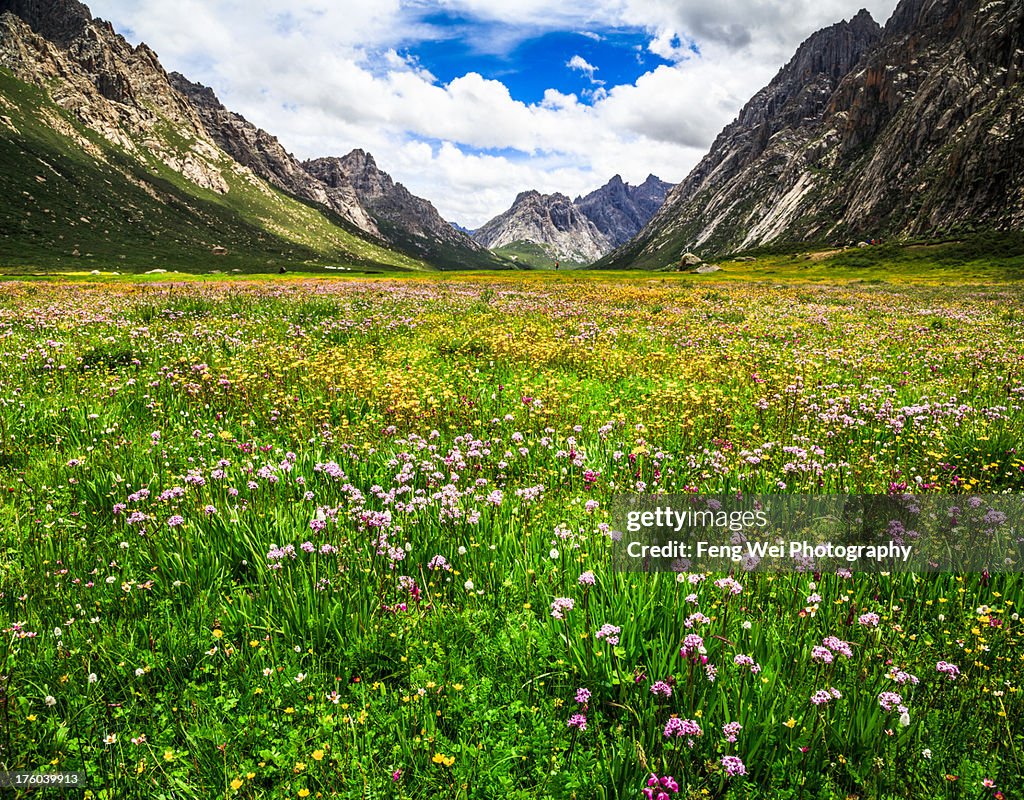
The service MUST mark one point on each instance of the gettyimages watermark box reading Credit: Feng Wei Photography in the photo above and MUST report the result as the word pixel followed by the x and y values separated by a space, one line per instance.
pixel 820 533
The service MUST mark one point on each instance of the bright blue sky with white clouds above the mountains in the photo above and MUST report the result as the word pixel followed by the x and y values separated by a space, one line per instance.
pixel 468 103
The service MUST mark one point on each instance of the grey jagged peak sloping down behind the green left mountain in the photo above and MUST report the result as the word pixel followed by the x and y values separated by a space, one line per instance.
pixel 406 222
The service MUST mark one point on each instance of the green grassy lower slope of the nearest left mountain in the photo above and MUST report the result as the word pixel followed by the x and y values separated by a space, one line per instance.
pixel 75 192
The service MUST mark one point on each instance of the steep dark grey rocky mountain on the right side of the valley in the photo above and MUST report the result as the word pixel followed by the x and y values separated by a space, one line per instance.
pixel 909 132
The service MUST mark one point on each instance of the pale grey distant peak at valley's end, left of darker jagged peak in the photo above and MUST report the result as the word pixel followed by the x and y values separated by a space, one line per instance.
pixel 551 223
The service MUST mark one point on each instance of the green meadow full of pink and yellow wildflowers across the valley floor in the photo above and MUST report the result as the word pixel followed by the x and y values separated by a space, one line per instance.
pixel 310 538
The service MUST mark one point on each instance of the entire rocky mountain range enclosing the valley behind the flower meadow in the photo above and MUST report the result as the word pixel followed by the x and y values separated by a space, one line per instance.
pixel 908 132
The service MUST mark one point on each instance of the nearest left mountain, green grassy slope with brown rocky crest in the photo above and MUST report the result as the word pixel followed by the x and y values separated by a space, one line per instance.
pixel 108 163
